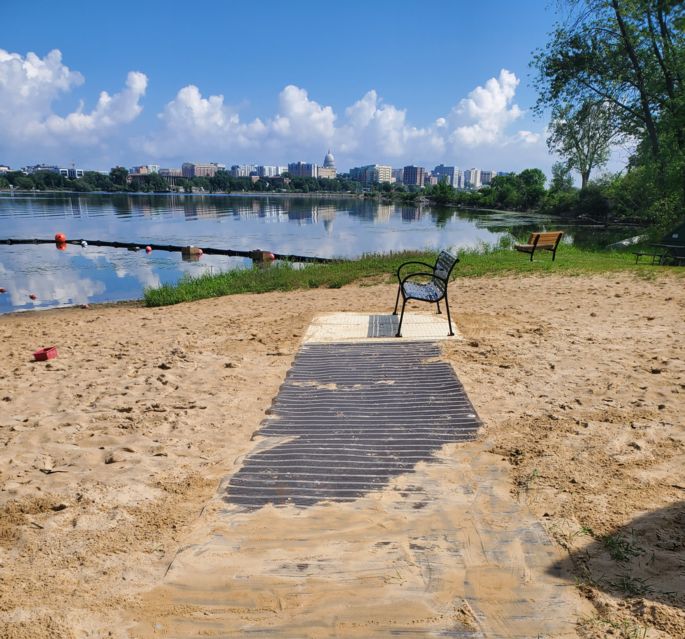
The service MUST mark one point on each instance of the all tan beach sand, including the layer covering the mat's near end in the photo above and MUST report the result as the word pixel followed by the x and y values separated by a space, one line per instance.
pixel 112 457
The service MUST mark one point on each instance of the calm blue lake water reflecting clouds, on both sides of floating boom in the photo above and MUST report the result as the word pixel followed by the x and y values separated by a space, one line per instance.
pixel 344 227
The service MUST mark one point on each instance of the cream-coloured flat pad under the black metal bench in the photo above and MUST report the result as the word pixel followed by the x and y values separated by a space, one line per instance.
pixel 361 327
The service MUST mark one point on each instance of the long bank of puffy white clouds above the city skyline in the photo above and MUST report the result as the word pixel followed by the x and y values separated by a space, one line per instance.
pixel 368 130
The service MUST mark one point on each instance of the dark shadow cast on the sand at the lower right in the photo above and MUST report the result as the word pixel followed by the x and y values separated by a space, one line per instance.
pixel 645 559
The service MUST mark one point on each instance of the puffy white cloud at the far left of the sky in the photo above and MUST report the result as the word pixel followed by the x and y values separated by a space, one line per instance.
pixel 30 85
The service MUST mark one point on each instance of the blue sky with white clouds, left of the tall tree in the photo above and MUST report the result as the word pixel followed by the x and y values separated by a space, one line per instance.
pixel 99 84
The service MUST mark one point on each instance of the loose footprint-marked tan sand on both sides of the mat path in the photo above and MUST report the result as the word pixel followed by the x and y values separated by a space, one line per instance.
pixel 110 453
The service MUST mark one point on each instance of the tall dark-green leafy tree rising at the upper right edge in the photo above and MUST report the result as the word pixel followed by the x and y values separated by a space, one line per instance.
pixel 628 56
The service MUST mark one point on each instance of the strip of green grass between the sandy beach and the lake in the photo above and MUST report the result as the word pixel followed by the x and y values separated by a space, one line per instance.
pixel 483 261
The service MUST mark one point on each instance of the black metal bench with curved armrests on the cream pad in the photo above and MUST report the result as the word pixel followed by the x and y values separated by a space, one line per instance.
pixel 425 285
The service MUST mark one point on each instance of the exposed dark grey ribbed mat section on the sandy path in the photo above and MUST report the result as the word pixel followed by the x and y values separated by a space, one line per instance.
pixel 349 417
